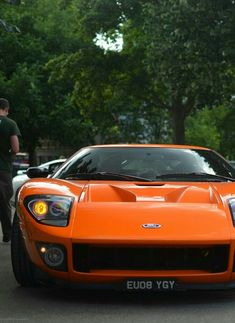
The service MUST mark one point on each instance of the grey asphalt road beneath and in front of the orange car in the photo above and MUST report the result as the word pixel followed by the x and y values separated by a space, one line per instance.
pixel 18 304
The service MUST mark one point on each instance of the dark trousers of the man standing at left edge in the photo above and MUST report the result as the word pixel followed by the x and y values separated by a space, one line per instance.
pixel 6 192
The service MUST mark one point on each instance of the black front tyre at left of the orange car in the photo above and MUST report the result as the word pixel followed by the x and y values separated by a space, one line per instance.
pixel 22 267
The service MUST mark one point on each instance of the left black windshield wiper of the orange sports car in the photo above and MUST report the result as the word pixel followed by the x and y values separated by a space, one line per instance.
pixel 106 176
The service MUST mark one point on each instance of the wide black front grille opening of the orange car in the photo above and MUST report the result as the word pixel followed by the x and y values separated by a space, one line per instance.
pixel 212 259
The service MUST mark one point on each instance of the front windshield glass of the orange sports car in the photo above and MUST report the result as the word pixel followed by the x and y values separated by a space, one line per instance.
pixel 147 164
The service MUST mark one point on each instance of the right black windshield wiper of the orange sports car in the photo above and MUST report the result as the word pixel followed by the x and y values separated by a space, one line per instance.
pixel 209 177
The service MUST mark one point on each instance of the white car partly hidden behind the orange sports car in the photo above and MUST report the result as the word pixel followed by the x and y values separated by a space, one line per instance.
pixel 19 180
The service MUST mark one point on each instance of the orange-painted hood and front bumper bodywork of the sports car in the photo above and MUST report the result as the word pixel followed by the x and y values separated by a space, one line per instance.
pixel 113 213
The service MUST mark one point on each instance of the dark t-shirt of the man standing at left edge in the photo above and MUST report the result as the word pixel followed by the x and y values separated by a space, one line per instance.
pixel 8 128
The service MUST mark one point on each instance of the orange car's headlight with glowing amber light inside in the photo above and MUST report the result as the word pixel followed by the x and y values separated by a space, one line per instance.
pixel 49 209
